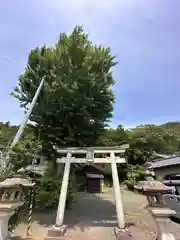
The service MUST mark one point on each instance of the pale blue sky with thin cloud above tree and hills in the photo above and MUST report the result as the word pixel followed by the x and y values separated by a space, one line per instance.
pixel 143 34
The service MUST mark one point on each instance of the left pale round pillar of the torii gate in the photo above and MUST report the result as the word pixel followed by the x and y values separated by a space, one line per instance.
pixel 63 195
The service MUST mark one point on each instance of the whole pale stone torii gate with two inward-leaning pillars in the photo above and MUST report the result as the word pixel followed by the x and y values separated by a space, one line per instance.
pixel 59 228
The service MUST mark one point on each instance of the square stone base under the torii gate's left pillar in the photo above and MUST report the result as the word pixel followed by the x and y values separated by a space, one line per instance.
pixel 56 233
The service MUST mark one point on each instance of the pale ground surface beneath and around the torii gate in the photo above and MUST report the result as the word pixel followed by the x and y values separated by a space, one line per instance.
pixel 93 218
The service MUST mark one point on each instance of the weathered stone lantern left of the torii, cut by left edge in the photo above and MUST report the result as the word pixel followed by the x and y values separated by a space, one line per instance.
pixel 11 198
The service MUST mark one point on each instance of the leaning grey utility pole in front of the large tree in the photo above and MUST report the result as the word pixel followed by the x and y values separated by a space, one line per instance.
pixel 20 131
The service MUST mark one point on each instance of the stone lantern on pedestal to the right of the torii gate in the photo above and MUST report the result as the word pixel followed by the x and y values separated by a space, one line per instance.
pixel 154 191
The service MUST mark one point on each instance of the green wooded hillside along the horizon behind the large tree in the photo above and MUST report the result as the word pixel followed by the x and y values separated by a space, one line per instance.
pixel 164 138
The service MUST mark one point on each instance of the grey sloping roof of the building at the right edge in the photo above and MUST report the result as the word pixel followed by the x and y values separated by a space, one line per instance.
pixel 166 162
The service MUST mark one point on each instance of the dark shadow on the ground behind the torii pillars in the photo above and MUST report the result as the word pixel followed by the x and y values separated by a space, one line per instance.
pixel 87 211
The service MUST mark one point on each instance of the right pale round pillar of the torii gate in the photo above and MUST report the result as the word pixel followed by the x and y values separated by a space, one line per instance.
pixel 117 192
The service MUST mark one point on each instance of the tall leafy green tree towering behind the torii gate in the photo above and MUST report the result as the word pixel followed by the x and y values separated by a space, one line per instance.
pixel 76 102
